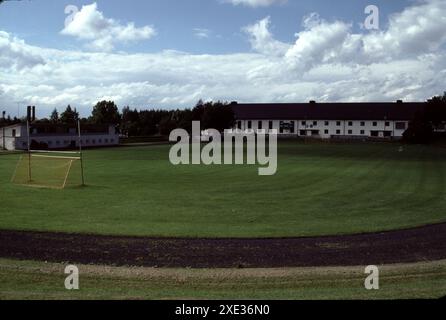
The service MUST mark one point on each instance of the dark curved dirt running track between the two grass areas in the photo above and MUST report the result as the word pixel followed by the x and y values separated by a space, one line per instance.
pixel 411 245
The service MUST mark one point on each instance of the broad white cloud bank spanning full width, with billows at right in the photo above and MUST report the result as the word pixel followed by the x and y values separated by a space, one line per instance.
pixel 327 61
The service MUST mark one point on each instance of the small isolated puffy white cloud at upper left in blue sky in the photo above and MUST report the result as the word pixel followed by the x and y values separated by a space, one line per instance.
pixel 102 33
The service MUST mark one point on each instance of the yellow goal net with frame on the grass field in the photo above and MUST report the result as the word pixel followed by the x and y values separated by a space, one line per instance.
pixel 48 169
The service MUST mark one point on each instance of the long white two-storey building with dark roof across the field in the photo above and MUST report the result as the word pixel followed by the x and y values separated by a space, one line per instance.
pixel 328 120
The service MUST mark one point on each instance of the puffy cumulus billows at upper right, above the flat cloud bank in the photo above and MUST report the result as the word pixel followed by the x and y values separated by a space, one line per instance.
pixel 415 31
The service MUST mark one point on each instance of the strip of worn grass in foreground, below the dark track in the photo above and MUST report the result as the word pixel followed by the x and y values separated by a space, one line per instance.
pixel 38 280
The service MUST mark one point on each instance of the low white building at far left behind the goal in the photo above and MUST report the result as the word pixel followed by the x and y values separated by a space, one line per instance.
pixel 51 136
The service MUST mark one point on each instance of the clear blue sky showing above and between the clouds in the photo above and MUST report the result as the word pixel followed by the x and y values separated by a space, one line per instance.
pixel 175 20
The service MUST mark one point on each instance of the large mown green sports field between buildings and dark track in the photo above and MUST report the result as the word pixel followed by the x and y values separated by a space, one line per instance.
pixel 319 189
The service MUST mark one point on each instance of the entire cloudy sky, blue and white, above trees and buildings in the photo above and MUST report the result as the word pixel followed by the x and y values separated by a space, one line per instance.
pixel 170 53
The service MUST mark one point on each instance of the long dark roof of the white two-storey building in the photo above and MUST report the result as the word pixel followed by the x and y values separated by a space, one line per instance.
pixel 327 111
